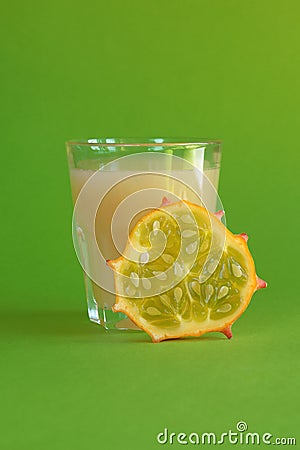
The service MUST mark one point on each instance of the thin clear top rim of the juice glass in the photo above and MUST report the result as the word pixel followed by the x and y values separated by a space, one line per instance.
pixel 142 142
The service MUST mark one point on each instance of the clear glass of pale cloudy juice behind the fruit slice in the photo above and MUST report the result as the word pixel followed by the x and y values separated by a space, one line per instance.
pixel 114 183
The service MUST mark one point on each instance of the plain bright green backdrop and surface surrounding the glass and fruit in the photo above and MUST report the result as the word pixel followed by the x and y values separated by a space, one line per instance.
pixel 225 69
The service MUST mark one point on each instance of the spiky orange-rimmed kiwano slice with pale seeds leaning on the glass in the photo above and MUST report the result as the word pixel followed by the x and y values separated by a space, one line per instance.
pixel 183 273
